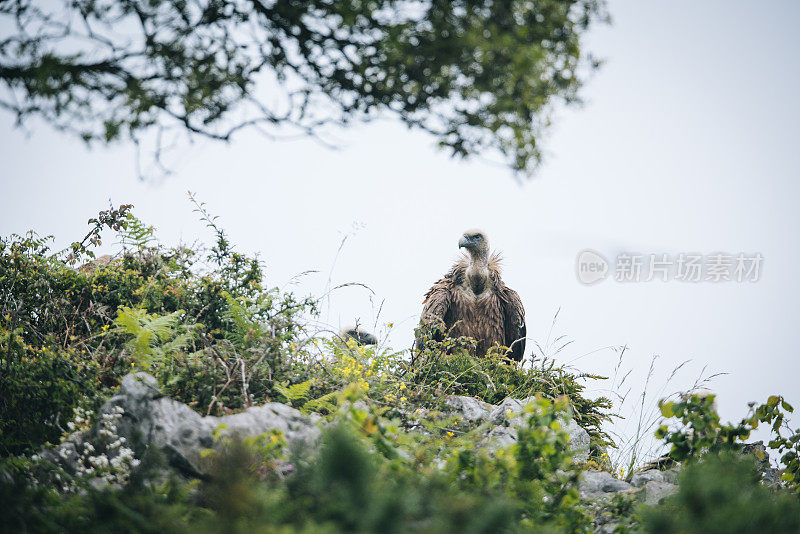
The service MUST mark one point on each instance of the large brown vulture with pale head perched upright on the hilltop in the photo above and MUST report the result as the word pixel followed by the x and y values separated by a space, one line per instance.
pixel 472 300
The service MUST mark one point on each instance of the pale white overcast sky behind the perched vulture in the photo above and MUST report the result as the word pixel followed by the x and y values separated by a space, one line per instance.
pixel 687 143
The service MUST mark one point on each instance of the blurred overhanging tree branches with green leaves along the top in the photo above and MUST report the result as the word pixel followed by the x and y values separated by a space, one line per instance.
pixel 477 74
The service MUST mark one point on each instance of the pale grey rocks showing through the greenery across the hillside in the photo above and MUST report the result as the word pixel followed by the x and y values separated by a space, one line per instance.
pixel 139 417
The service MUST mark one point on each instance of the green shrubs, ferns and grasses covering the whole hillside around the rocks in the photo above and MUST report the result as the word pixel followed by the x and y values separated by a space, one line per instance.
pixel 217 337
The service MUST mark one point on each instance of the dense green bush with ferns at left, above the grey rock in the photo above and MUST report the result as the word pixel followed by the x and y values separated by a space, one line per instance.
pixel 207 328
